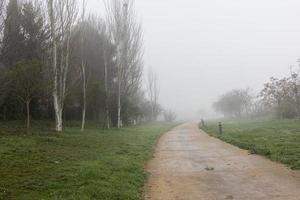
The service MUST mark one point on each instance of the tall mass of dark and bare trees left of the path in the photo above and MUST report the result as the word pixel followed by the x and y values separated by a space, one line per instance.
pixel 58 62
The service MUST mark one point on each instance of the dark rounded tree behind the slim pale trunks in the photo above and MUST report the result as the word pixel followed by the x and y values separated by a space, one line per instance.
pixel 100 72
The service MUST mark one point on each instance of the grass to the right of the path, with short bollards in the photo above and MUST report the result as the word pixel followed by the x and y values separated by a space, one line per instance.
pixel 278 140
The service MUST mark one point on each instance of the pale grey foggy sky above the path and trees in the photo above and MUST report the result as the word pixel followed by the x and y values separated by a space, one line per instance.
pixel 203 48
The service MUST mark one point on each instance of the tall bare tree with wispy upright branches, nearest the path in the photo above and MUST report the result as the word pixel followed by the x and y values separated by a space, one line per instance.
pixel 126 35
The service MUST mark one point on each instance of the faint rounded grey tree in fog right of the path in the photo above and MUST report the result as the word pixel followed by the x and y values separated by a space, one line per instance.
pixel 234 103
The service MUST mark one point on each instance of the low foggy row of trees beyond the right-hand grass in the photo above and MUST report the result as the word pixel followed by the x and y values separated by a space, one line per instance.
pixel 280 98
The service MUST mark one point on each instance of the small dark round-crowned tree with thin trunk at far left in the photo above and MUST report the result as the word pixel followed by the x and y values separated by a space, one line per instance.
pixel 28 83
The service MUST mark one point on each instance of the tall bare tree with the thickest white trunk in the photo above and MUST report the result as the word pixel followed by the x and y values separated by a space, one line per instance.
pixel 62 16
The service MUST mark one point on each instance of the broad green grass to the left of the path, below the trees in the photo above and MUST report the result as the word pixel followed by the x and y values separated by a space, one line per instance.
pixel 96 164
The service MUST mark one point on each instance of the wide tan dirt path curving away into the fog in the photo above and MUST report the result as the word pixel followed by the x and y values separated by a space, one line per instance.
pixel 189 164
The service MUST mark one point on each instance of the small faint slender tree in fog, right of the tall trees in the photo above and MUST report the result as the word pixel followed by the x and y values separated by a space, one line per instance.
pixel 153 92
